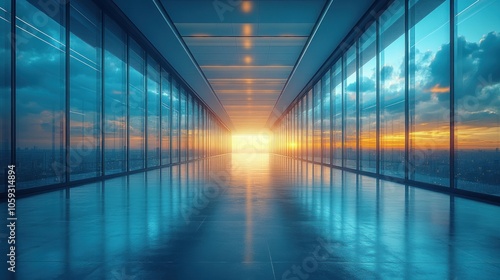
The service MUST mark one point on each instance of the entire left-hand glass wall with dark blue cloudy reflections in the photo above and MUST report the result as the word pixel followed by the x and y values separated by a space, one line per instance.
pixel 90 99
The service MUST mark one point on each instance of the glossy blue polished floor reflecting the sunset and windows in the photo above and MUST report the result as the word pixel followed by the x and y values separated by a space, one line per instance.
pixel 254 216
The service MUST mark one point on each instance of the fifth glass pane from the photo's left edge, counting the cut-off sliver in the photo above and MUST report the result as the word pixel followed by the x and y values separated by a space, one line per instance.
pixel 137 106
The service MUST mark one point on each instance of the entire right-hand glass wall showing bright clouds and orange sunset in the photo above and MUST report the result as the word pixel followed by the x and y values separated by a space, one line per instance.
pixel 414 97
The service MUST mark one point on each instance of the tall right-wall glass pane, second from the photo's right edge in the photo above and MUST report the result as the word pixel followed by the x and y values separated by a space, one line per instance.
pixel 429 92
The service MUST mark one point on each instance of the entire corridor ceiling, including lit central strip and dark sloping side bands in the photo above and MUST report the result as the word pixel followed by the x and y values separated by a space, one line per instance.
pixel 247 59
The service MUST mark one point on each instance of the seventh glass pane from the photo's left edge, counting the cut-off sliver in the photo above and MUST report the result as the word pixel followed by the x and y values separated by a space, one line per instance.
pixel 165 117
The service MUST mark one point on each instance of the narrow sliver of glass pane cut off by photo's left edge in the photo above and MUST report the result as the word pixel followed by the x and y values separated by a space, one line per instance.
pixel 5 93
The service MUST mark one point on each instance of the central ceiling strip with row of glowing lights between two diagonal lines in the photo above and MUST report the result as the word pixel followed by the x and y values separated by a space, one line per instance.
pixel 246 52
